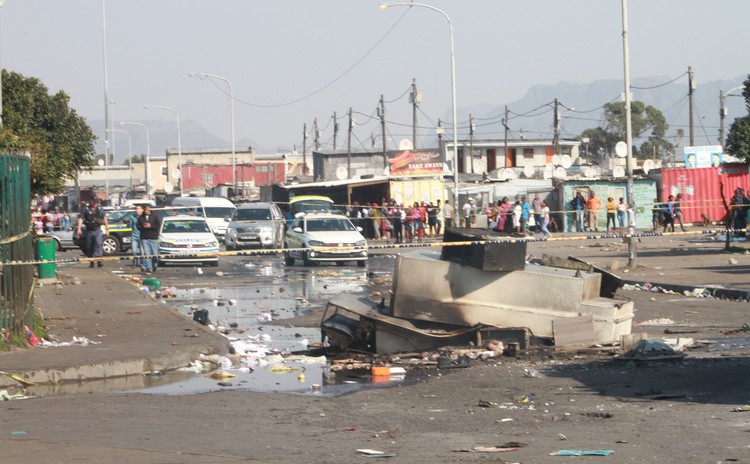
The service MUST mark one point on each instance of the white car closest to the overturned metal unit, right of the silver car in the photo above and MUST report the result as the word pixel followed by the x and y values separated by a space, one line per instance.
pixel 324 230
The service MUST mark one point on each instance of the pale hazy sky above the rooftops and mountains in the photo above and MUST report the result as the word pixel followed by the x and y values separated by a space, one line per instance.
pixel 291 61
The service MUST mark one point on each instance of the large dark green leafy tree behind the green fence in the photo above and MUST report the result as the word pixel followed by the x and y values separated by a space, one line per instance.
pixel 59 140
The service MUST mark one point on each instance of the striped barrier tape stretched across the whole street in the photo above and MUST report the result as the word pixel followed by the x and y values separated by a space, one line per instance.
pixel 388 246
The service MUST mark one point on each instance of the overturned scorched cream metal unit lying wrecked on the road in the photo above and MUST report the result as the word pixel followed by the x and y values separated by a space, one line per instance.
pixel 450 298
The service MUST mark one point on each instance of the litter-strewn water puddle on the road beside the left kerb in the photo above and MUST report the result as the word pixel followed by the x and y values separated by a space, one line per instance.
pixel 254 313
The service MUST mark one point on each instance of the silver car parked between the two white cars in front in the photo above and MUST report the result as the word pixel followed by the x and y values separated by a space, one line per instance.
pixel 258 225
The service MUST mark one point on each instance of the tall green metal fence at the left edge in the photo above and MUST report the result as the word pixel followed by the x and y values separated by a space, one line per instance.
pixel 16 282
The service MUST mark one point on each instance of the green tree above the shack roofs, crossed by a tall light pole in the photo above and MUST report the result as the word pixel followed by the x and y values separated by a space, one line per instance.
pixel 646 121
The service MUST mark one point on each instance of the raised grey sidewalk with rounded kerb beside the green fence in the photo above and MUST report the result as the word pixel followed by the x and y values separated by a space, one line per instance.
pixel 136 333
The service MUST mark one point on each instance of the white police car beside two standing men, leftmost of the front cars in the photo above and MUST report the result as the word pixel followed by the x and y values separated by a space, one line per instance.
pixel 187 239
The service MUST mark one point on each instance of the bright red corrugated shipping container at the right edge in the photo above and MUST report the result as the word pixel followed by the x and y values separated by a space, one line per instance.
pixel 701 189
